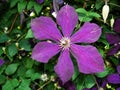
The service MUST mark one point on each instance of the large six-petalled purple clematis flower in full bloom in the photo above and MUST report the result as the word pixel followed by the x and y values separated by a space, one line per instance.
pixel 88 58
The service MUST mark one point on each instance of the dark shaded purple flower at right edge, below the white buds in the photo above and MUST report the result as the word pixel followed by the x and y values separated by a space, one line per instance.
pixel 114 39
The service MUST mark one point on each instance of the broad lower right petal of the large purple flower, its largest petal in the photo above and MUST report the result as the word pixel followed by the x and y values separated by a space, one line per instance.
pixel 88 58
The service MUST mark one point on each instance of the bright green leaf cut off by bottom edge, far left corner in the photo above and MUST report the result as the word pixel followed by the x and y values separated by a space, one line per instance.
pixel 10 84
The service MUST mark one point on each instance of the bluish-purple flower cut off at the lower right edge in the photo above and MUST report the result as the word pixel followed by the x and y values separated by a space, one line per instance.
pixel 115 78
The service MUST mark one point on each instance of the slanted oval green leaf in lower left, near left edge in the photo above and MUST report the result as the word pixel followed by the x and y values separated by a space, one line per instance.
pixel 11 68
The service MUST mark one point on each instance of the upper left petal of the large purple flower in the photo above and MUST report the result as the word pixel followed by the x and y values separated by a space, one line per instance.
pixel 45 28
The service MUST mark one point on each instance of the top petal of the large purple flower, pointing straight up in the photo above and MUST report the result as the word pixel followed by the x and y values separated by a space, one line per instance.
pixel 67 18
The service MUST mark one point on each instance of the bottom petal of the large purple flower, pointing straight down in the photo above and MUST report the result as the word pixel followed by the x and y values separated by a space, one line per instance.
pixel 64 67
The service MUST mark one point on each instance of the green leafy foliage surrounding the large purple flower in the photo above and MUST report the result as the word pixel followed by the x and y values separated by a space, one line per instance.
pixel 20 72
